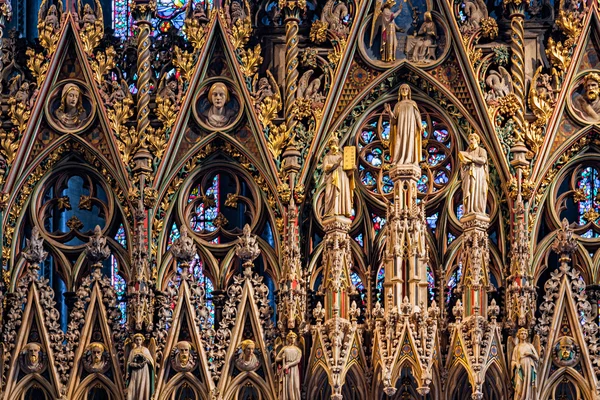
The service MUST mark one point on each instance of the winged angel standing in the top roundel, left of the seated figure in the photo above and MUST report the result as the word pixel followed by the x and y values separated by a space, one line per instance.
pixel 384 20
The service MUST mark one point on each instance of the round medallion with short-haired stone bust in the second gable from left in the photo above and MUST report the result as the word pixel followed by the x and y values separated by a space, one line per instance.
pixel 217 106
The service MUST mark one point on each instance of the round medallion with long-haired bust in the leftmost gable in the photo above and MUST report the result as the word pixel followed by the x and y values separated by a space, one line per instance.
pixel 70 107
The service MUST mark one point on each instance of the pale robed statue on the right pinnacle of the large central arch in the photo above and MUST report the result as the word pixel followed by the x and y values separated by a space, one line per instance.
pixel 474 176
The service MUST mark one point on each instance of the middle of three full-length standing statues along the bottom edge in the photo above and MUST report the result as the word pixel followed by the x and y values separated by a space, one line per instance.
pixel 288 372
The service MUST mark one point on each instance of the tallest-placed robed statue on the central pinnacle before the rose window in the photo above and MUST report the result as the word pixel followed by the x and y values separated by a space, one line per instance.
pixel 406 129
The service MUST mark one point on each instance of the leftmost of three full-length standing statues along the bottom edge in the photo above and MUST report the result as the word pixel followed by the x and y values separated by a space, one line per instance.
pixel 140 371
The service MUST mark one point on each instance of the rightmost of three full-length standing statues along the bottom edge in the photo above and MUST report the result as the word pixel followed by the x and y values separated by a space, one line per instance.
pixel 524 367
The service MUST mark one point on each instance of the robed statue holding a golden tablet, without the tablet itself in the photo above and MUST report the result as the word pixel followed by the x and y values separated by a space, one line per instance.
pixel 339 183
